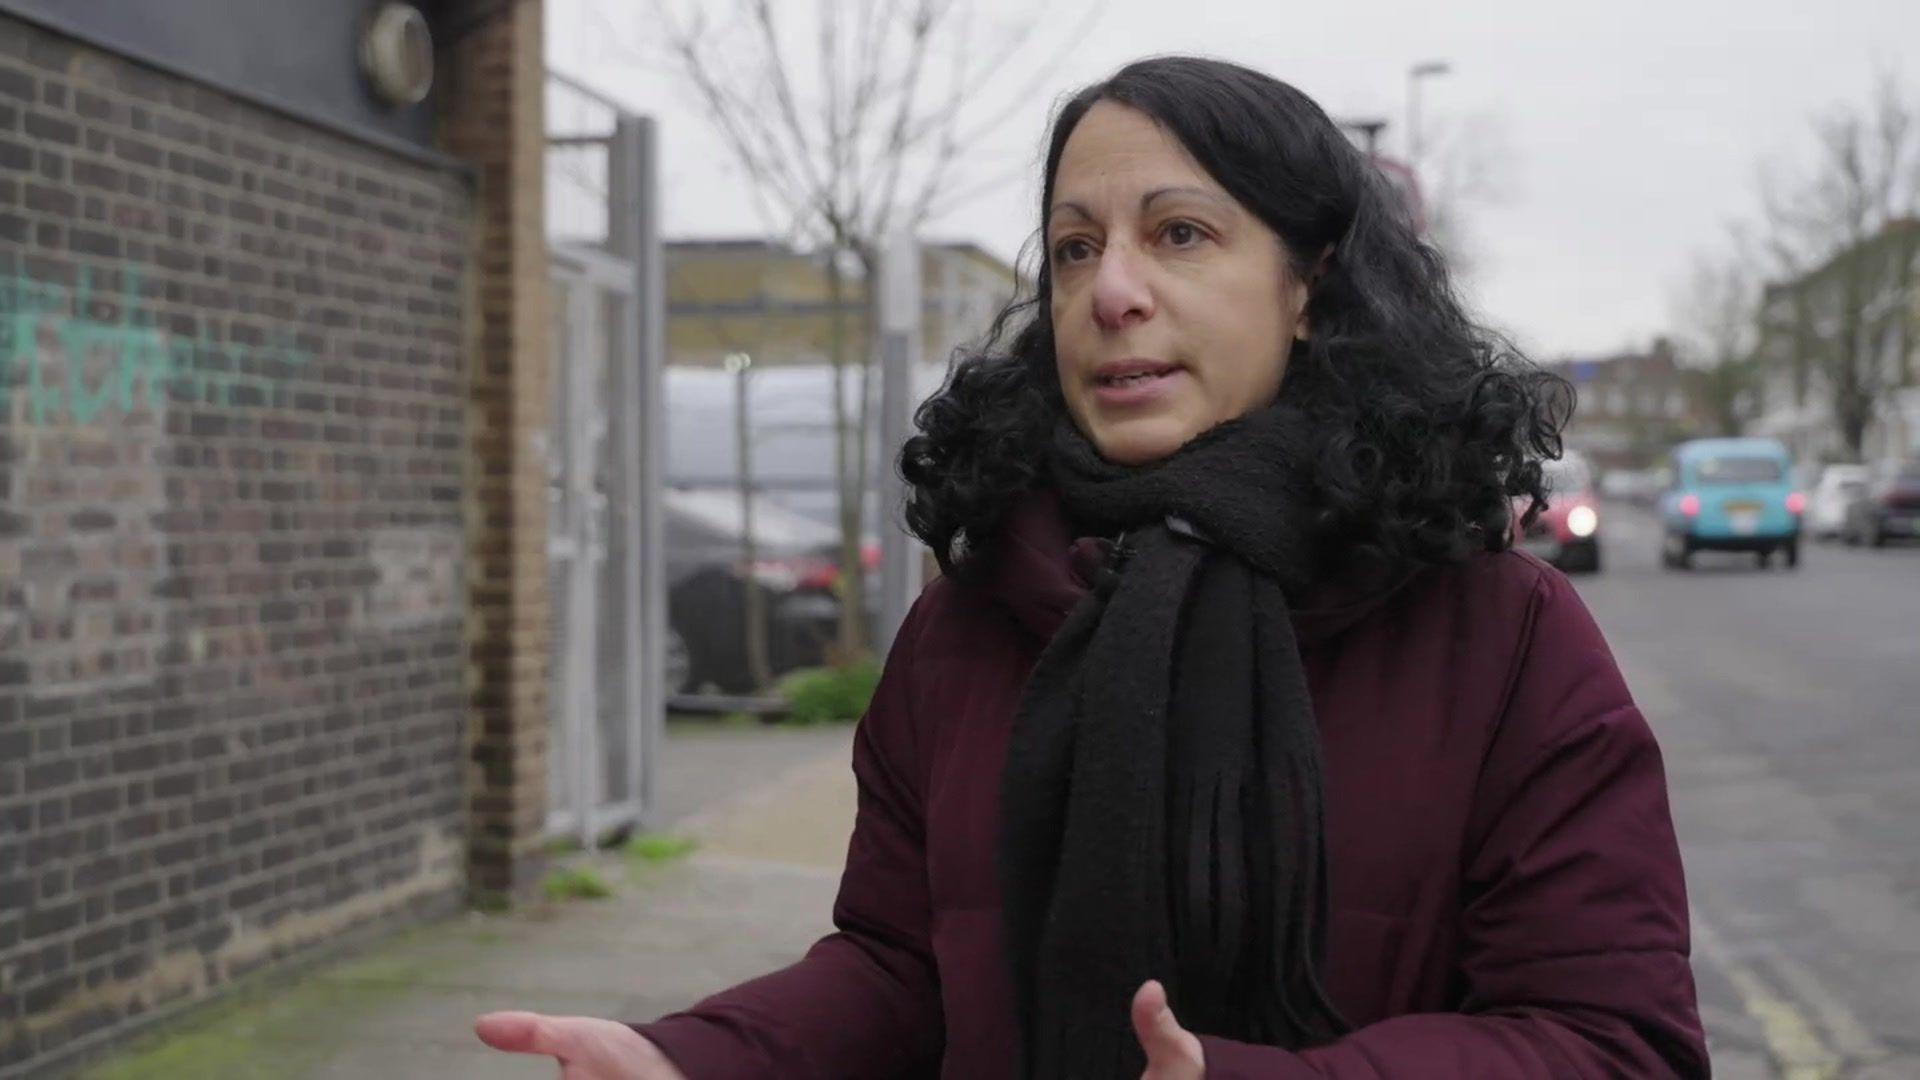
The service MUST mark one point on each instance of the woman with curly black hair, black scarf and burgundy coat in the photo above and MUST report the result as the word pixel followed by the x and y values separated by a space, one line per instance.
pixel 1234 741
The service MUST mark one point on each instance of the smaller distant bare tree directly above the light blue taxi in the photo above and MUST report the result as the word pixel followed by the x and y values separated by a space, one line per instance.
pixel 1716 318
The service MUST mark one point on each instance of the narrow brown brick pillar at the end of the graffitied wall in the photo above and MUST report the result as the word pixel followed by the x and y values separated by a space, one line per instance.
pixel 496 84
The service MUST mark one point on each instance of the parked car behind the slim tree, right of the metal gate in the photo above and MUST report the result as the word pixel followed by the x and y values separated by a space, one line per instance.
pixel 796 568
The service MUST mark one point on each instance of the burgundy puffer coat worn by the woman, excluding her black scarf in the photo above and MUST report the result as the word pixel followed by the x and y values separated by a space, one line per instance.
pixel 1506 889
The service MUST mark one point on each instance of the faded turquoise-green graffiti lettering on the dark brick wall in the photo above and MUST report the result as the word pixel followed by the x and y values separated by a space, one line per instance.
pixel 133 358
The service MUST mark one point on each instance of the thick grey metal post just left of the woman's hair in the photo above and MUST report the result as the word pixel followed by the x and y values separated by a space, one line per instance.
pixel 900 320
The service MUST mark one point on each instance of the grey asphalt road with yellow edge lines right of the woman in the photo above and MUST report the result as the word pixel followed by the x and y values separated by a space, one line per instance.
pixel 1788 708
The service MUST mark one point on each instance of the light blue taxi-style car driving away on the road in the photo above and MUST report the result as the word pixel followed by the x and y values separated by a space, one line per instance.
pixel 1731 495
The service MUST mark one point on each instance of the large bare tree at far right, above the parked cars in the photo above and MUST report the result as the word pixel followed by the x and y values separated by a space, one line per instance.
pixel 1825 232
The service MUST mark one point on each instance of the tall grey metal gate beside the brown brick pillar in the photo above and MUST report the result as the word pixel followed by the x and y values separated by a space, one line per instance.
pixel 604 485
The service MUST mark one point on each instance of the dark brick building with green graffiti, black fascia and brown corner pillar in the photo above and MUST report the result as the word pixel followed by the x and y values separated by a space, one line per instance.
pixel 274 620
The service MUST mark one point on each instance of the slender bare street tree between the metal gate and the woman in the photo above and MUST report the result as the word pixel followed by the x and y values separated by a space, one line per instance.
pixel 850 134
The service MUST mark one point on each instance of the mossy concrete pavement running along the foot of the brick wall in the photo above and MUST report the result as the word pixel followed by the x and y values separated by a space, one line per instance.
pixel 771 812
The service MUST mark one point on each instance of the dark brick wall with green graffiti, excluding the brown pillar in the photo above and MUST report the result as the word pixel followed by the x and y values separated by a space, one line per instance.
pixel 233 543
